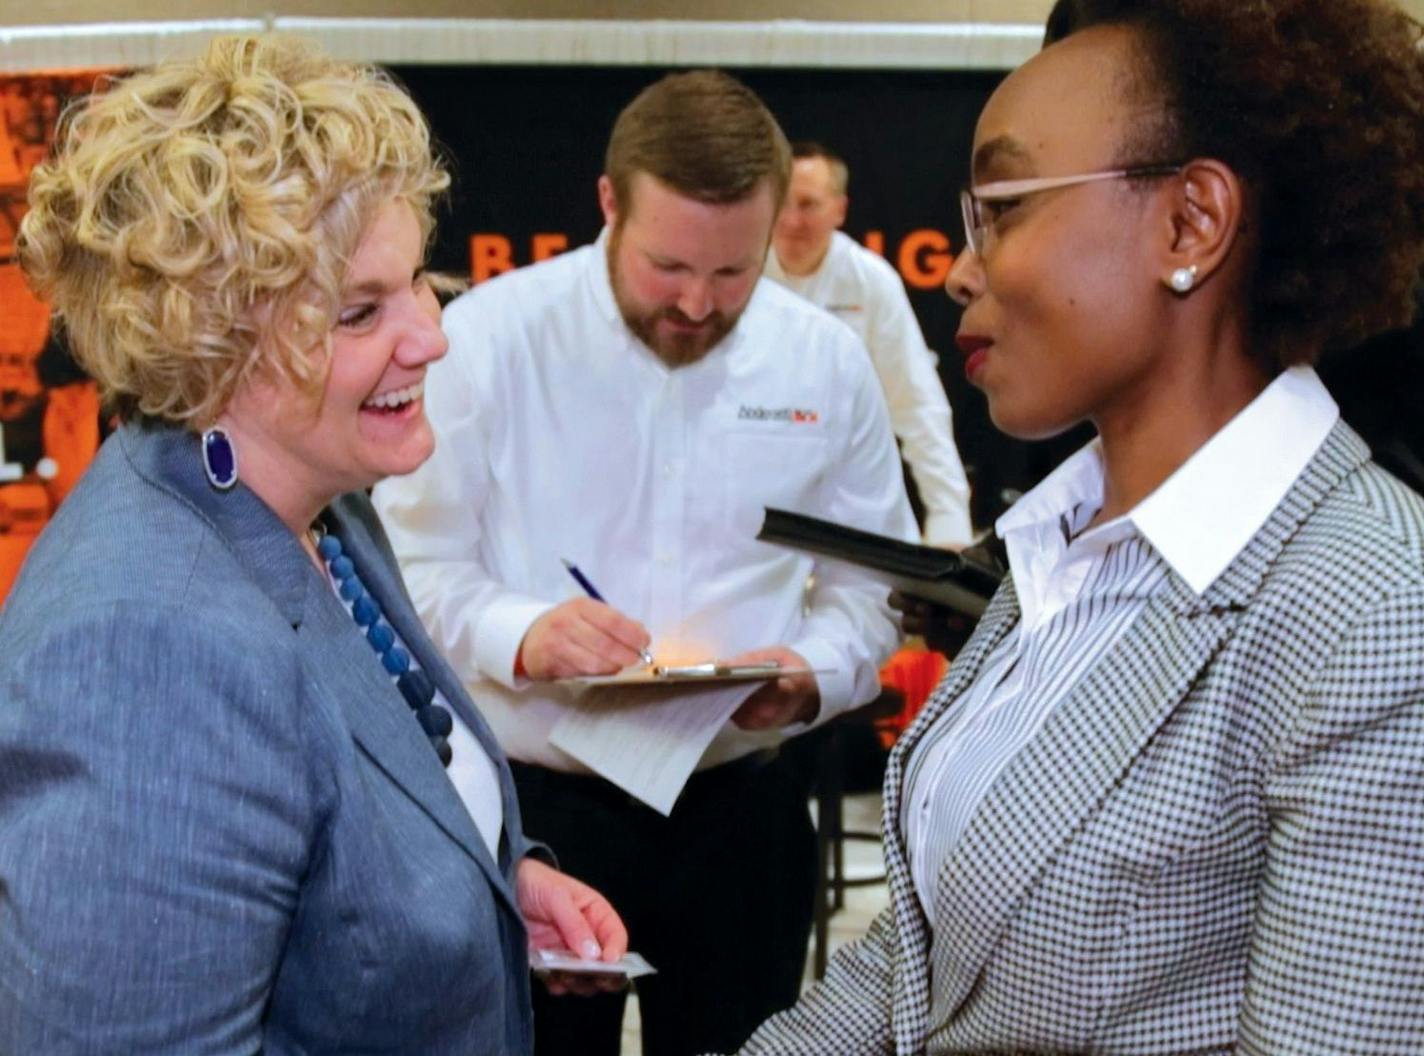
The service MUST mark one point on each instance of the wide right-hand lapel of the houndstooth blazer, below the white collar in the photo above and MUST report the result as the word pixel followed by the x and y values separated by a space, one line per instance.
pixel 1093 738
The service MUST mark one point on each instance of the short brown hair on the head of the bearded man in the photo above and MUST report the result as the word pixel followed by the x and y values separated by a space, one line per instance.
pixel 704 134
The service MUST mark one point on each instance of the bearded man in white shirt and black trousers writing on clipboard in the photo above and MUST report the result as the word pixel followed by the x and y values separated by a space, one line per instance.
pixel 632 408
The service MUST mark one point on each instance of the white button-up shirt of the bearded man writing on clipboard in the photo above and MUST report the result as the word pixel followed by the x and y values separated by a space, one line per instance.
pixel 559 435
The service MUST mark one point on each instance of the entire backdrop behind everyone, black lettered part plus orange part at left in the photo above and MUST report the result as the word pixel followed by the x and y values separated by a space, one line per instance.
pixel 528 146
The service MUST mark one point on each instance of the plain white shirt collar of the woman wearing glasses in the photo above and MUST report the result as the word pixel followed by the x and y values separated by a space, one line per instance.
pixel 1204 514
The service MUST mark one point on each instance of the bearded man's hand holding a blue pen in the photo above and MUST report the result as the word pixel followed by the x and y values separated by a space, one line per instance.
pixel 582 637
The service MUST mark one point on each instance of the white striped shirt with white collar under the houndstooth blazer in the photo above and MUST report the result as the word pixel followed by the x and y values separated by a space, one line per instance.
pixel 1080 591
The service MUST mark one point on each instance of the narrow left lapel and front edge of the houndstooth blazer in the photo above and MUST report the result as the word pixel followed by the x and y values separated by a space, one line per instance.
pixel 911 998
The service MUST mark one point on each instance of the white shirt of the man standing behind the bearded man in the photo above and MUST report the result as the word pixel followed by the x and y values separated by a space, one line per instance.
pixel 864 291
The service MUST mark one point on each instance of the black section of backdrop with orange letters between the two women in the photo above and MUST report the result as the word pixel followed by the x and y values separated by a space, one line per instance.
pixel 528 146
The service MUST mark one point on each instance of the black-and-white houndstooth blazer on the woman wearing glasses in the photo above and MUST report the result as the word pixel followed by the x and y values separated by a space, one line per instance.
pixel 1217 842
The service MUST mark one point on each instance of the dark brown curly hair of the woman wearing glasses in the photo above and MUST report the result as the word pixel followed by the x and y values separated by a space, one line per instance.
pixel 1319 109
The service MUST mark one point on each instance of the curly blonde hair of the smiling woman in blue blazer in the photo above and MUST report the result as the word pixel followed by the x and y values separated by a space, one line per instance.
pixel 196 221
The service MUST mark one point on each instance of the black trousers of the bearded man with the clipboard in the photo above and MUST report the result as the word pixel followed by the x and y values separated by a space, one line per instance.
pixel 718 897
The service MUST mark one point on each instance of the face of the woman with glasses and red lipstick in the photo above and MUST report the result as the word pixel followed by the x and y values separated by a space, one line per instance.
pixel 1059 318
